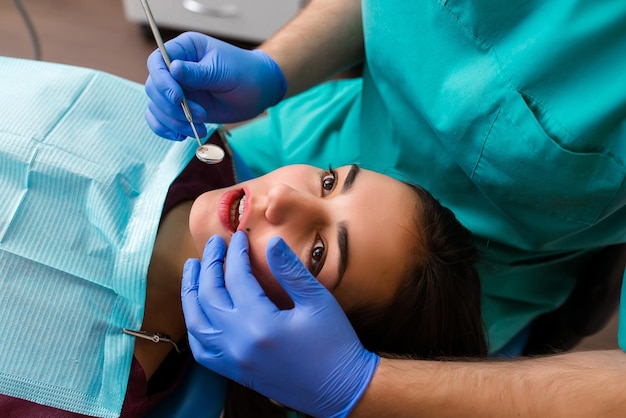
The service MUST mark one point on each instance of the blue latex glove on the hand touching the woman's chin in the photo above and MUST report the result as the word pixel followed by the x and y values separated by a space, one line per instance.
pixel 308 358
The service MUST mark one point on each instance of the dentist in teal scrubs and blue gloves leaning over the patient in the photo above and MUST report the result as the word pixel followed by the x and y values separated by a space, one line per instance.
pixel 512 115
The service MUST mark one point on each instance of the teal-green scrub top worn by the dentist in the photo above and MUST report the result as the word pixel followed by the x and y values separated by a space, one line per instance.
pixel 511 114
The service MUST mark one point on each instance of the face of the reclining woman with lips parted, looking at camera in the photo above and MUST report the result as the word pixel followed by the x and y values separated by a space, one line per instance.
pixel 353 228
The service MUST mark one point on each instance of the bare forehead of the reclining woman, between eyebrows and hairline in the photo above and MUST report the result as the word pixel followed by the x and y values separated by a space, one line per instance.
pixel 382 239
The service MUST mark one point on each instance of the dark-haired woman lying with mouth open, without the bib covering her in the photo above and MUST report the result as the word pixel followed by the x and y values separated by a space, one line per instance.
pixel 350 226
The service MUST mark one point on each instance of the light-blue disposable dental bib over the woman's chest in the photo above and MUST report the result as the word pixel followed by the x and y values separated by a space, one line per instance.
pixel 83 181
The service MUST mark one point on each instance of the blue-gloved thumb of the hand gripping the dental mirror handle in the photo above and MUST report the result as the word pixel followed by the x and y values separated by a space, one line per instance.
pixel 198 76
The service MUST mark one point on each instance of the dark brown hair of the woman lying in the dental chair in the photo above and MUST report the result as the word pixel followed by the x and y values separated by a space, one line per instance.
pixel 435 313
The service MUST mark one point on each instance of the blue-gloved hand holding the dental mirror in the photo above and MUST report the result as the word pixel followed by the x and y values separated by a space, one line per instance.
pixel 222 84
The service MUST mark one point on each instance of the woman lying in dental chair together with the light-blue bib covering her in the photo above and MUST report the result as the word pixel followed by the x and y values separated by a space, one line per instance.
pixel 349 225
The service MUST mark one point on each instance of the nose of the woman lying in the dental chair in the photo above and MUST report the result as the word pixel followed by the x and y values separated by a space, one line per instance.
pixel 284 203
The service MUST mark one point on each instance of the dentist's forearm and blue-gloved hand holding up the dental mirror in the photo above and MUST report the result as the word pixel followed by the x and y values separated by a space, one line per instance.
pixel 224 83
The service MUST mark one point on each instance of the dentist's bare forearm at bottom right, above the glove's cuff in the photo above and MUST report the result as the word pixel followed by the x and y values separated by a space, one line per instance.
pixel 585 384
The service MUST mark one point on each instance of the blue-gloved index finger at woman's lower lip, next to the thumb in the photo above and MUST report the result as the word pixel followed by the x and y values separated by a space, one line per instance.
pixel 244 289
